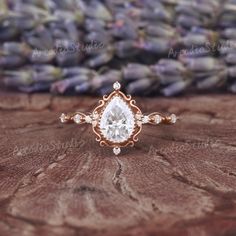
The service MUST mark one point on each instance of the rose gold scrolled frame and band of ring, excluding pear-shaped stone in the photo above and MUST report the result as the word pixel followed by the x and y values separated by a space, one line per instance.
pixel 94 118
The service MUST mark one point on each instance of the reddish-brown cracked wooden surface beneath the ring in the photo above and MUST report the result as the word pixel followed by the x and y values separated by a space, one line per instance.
pixel 178 180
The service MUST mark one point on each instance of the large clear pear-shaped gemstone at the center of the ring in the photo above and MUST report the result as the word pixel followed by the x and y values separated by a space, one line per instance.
pixel 117 121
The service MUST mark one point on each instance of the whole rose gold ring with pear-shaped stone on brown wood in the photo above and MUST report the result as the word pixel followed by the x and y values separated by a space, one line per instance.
pixel 117 121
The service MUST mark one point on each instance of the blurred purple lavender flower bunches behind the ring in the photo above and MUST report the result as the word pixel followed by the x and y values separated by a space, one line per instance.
pixel 153 47
